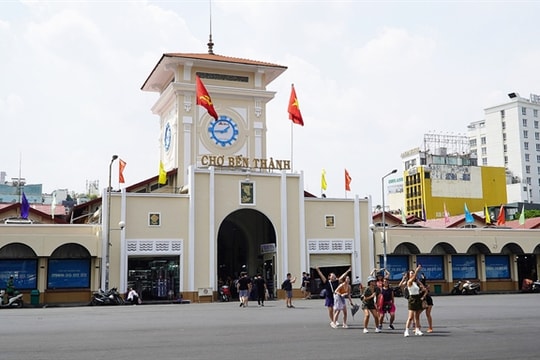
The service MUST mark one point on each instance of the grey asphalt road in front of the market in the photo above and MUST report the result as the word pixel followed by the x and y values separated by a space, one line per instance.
pixel 465 327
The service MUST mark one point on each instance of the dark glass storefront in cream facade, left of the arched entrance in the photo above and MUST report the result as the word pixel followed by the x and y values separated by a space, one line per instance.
pixel 155 278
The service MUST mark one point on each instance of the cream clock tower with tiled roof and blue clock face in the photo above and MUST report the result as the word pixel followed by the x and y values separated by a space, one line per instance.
pixel 189 136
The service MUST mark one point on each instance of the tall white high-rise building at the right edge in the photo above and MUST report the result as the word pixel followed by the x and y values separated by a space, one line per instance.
pixel 509 136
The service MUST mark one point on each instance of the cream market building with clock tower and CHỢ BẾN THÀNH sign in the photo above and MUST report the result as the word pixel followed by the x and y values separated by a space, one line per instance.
pixel 227 206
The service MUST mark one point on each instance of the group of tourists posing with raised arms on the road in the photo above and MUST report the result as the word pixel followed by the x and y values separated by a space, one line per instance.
pixel 378 299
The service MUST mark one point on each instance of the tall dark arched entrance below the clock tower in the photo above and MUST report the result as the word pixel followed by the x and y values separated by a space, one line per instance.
pixel 246 242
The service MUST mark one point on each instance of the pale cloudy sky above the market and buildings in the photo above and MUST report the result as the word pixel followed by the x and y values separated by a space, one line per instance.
pixel 372 77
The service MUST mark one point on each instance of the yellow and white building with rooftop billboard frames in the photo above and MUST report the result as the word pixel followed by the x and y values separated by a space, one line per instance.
pixel 444 178
